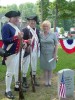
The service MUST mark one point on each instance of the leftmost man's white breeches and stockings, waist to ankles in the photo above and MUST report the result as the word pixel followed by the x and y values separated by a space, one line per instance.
pixel 12 63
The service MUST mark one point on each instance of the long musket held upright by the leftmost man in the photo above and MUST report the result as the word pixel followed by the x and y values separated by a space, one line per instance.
pixel 21 96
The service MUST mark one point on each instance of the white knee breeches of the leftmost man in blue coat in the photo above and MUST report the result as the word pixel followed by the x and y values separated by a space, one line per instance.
pixel 12 63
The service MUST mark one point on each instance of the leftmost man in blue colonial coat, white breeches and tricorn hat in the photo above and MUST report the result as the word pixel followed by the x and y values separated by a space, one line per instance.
pixel 11 36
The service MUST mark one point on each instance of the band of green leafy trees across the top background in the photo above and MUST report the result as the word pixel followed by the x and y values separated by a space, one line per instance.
pixel 60 12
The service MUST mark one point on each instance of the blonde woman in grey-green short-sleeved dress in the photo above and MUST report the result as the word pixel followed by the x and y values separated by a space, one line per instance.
pixel 48 50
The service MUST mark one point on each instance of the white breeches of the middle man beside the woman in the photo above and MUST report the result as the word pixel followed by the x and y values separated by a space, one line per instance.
pixel 26 62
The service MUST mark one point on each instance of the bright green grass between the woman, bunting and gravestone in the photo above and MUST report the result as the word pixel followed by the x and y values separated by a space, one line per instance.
pixel 65 60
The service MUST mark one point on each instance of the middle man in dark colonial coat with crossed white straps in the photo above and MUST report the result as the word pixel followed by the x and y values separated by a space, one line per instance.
pixel 30 32
